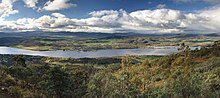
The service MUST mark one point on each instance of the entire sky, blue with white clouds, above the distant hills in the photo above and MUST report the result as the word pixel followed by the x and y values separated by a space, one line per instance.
pixel 110 16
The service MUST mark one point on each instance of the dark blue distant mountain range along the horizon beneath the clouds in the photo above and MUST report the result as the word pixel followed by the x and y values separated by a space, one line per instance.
pixel 57 34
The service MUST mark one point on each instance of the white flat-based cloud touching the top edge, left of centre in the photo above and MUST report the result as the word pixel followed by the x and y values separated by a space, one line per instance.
pixel 57 5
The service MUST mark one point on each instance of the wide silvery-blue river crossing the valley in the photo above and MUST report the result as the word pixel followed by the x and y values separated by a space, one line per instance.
pixel 91 54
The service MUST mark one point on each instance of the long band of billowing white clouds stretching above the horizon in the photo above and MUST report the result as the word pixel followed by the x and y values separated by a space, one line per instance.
pixel 141 21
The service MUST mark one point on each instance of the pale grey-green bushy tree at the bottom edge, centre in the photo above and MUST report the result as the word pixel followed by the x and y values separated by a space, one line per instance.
pixel 106 85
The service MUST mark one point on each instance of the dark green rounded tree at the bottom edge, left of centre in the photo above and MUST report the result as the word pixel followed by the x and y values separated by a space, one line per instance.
pixel 57 82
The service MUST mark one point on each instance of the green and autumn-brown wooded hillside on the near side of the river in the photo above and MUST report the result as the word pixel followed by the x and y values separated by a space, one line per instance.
pixel 188 74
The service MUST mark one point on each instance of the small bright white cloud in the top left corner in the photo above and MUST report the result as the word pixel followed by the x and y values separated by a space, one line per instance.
pixel 6 8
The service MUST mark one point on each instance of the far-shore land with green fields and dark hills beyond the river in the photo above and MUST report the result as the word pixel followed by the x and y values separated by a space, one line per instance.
pixel 96 41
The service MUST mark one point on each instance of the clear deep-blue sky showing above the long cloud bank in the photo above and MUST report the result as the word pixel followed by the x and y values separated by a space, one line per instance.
pixel 86 6
